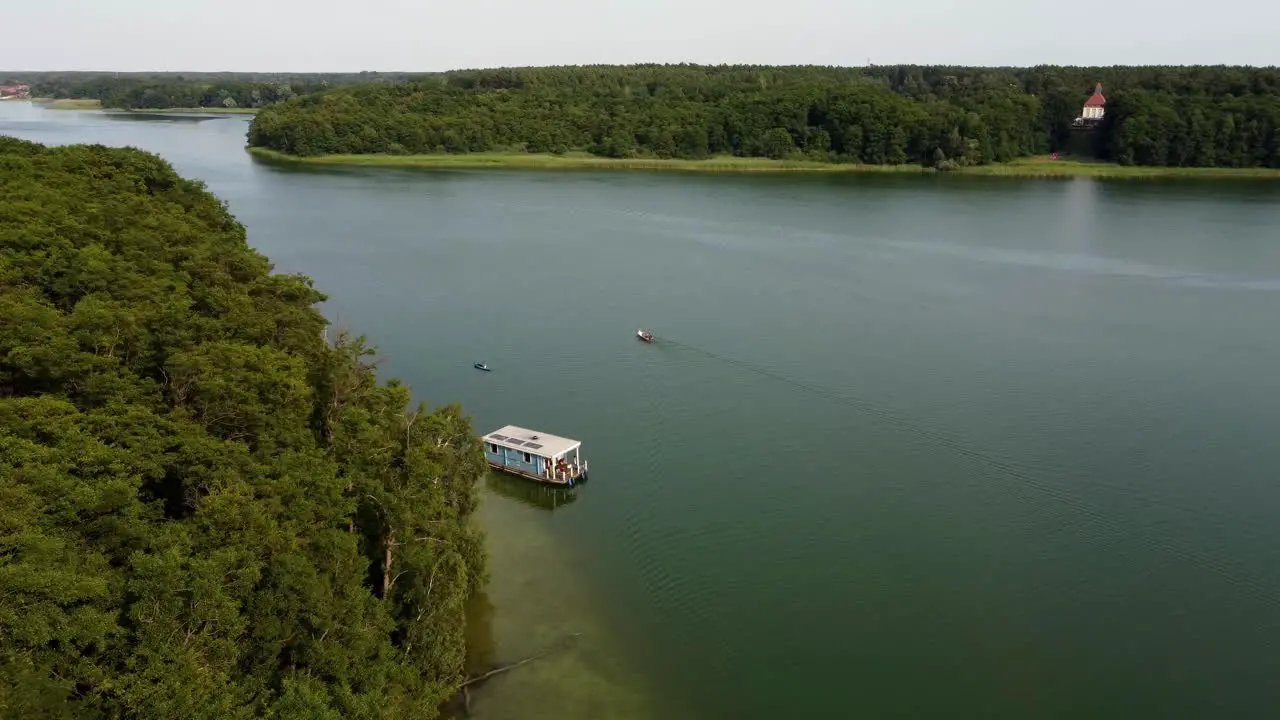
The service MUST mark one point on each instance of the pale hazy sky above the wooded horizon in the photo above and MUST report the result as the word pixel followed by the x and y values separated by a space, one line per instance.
pixel 431 35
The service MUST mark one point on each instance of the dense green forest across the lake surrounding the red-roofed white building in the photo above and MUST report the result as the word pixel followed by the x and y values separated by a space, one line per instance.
pixel 940 117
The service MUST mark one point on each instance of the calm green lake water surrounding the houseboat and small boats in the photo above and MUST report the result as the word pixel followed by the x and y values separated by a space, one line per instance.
pixel 906 446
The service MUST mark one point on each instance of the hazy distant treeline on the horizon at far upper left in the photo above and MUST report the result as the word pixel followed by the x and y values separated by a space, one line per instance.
pixel 193 90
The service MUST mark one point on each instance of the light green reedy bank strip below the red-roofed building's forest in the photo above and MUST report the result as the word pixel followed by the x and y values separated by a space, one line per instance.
pixel 1023 168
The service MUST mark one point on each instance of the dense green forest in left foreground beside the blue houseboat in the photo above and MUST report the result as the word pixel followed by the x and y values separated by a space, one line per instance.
pixel 211 505
